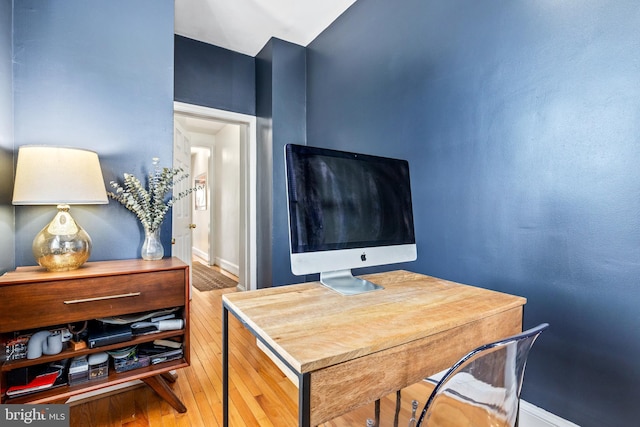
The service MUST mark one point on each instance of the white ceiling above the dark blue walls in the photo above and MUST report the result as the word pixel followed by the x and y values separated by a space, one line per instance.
pixel 245 26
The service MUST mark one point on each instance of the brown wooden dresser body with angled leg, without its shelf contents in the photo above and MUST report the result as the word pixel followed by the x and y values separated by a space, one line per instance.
pixel 32 298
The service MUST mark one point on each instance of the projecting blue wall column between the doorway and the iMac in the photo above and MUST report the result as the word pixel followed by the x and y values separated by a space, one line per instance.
pixel 281 119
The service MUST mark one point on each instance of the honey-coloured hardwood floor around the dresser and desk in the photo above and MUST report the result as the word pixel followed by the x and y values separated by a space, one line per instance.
pixel 260 394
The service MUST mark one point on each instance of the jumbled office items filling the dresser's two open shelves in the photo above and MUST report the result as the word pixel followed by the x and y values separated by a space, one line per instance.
pixel 95 366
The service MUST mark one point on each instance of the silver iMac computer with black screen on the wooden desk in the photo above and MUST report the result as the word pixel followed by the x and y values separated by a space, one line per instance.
pixel 347 210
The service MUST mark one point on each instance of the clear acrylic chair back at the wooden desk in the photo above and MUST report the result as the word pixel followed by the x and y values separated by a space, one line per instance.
pixel 483 388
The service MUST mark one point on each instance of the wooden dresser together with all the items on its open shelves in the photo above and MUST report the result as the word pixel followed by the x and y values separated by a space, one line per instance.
pixel 93 327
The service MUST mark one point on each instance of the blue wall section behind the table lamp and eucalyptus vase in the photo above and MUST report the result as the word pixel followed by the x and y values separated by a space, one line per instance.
pixel 87 74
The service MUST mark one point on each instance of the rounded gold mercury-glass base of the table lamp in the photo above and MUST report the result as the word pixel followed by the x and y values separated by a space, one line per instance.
pixel 62 245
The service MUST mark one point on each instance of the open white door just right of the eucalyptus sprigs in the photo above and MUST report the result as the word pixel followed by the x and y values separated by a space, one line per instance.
pixel 181 228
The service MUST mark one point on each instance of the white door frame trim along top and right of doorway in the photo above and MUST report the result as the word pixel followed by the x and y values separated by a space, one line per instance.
pixel 248 183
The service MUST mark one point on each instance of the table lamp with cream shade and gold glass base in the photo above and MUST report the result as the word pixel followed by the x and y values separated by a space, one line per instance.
pixel 59 176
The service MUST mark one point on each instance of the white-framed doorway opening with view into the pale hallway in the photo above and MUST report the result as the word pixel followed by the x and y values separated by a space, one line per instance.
pixel 223 160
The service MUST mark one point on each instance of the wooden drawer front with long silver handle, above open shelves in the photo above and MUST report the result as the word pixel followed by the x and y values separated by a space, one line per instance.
pixel 35 305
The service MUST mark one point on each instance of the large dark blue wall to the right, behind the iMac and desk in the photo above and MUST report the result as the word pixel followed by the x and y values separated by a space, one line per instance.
pixel 521 121
